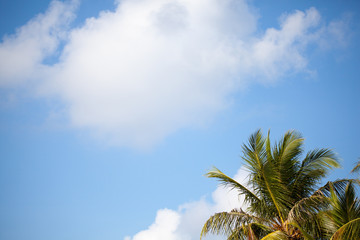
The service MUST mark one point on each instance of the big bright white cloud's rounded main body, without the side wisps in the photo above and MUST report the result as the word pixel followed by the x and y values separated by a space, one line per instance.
pixel 139 73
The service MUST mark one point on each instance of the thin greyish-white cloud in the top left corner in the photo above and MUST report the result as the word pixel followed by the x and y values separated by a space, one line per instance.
pixel 21 54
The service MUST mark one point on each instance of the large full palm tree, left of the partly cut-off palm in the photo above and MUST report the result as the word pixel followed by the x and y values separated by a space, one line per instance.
pixel 280 193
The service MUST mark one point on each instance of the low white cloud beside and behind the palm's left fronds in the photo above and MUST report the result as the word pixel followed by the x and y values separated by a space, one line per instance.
pixel 186 222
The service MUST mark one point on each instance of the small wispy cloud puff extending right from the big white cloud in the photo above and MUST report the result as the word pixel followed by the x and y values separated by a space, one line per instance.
pixel 281 50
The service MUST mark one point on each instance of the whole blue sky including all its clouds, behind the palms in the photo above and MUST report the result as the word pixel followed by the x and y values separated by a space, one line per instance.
pixel 111 112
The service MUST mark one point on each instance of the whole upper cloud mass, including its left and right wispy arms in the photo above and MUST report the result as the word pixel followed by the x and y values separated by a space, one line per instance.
pixel 134 75
